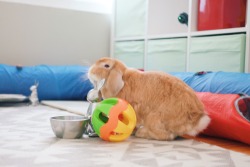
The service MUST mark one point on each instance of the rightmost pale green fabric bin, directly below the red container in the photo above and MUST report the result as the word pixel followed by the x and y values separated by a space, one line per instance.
pixel 218 53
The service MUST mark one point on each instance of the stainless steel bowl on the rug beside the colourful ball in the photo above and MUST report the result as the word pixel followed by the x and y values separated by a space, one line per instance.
pixel 69 127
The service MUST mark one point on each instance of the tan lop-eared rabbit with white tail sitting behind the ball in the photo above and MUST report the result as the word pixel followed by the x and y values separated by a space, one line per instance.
pixel 165 106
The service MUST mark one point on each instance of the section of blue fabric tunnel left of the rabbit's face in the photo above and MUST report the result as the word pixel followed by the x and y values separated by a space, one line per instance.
pixel 55 82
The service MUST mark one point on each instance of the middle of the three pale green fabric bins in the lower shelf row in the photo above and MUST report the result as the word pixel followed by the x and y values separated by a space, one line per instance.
pixel 168 55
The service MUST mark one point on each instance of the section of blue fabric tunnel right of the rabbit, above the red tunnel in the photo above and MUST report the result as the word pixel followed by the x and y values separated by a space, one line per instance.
pixel 217 82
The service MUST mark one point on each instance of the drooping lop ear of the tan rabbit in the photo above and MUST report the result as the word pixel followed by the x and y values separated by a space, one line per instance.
pixel 114 82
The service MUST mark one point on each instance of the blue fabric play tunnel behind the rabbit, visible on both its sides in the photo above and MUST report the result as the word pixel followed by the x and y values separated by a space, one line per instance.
pixel 71 82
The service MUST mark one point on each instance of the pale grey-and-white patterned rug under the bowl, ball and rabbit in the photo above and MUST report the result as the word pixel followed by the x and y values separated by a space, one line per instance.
pixel 27 140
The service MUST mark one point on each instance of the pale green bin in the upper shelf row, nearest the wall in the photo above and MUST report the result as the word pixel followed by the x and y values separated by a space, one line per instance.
pixel 130 18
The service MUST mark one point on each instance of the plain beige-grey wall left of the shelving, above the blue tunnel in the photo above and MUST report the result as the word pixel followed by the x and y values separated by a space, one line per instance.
pixel 32 34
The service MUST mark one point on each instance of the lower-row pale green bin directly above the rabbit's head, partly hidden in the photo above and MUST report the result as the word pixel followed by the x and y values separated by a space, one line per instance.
pixel 131 53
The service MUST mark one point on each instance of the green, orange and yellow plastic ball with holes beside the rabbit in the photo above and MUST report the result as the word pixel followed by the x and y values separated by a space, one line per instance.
pixel 114 119
